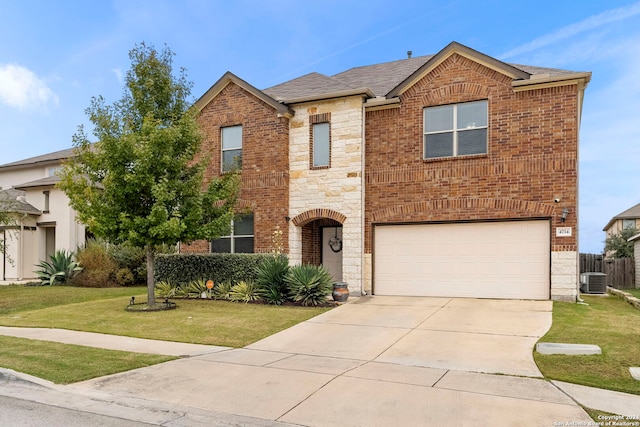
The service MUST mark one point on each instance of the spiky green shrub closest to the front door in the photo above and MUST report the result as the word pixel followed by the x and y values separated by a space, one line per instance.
pixel 309 284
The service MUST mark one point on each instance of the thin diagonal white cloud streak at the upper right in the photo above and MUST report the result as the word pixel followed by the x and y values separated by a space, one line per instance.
pixel 591 23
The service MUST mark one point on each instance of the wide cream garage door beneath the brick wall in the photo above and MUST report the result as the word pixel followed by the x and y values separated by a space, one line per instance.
pixel 479 260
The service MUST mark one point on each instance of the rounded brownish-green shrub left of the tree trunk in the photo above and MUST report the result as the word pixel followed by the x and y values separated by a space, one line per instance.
pixel 99 268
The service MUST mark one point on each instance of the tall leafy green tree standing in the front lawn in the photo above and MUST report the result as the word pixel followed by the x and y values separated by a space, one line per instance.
pixel 142 182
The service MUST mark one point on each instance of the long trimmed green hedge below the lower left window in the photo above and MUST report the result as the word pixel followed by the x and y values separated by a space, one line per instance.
pixel 181 269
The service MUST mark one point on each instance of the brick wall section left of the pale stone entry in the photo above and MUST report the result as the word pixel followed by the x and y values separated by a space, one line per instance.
pixel 265 161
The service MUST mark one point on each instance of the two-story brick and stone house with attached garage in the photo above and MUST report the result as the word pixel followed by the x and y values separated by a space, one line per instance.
pixel 453 174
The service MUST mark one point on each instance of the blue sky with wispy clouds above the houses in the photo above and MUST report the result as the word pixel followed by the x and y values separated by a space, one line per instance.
pixel 54 56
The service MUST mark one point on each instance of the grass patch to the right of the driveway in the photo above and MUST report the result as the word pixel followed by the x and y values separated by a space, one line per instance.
pixel 607 321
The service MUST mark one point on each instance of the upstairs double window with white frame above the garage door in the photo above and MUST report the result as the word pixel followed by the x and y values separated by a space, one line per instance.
pixel 455 130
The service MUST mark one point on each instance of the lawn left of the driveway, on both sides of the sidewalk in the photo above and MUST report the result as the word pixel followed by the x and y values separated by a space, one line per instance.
pixel 103 310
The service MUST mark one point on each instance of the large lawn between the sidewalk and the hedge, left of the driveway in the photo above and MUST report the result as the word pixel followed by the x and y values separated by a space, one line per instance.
pixel 194 321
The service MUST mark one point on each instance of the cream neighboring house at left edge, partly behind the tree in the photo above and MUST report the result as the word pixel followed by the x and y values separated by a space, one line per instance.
pixel 44 221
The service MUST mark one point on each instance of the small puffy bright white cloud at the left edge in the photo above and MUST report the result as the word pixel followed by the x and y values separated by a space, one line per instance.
pixel 23 89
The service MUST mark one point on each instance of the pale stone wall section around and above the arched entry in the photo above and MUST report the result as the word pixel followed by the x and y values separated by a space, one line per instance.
pixel 337 188
